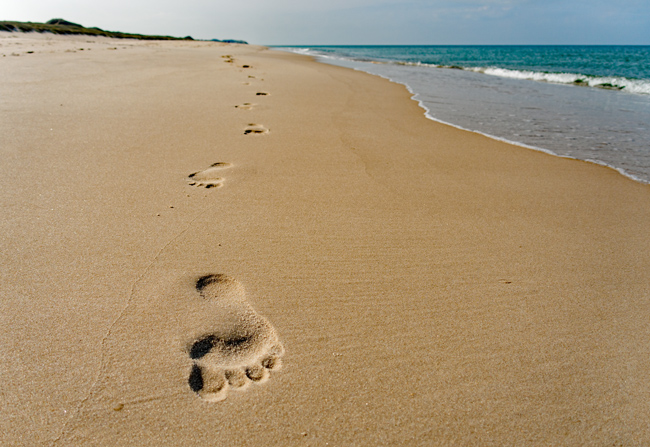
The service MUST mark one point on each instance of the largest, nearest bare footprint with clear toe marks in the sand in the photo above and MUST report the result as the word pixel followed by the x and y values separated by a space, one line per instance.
pixel 241 348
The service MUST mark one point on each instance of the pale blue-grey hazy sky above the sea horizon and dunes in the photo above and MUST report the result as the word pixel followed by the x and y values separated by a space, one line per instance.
pixel 287 22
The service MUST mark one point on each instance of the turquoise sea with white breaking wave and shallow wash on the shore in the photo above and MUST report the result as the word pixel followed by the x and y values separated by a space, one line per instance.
pixel 586 102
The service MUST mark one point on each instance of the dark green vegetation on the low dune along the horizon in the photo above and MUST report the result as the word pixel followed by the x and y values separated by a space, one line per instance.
pixel 60 26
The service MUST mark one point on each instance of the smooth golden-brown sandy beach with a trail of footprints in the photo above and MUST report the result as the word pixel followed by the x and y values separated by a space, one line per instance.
pixel 420 285
